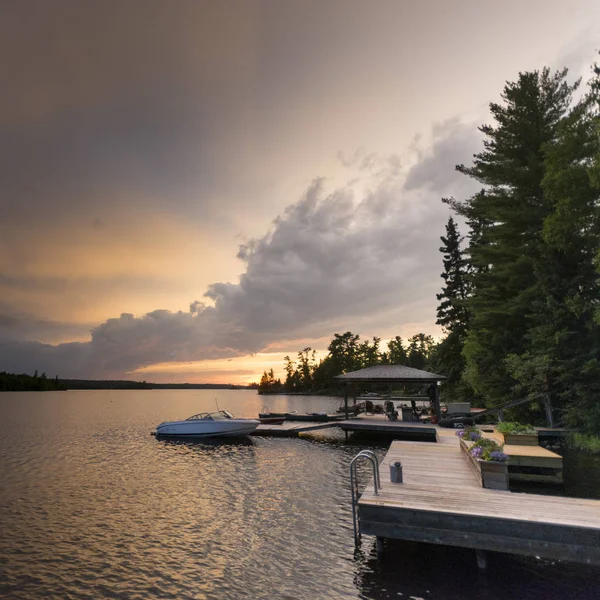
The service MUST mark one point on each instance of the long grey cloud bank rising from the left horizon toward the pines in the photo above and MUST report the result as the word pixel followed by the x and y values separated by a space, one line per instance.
pixel 363 257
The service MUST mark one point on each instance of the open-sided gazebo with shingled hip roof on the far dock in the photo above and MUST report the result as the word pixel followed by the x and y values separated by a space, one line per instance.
pixel 392 374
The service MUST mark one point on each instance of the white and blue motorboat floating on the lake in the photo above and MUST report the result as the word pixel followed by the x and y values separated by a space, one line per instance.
pixel 220 423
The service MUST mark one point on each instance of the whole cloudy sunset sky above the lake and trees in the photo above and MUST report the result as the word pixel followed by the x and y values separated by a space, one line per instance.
pixel 191 190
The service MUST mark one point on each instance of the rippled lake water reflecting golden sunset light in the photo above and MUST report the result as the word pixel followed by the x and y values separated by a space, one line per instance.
pixel 92 506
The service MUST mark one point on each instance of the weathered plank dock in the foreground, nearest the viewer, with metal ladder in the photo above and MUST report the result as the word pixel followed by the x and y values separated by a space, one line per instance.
pixel 441 502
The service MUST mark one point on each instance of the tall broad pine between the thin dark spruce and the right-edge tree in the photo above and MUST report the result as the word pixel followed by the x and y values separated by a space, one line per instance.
pixel 507 220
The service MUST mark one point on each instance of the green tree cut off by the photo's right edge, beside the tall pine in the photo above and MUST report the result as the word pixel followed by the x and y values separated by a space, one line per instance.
pixel 562 361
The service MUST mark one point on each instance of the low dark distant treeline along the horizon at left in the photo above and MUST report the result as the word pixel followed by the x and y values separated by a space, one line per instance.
pixel 13 382
